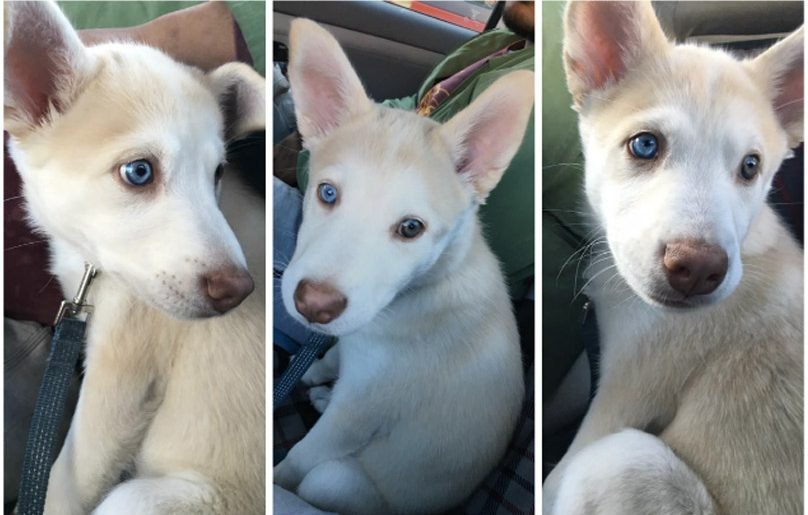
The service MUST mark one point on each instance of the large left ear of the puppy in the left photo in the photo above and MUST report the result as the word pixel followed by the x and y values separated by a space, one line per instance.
pixel 45 63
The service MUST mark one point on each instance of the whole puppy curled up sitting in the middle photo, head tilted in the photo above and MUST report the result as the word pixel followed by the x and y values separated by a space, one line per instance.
pixel 391 258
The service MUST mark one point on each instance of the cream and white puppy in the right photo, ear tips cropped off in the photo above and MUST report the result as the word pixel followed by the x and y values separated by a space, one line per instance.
pixel 699 293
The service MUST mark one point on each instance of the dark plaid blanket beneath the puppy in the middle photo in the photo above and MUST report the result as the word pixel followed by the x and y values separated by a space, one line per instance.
pixel 508 489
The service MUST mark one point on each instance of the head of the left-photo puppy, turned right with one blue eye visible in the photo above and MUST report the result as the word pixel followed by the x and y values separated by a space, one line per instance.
pixel 120 149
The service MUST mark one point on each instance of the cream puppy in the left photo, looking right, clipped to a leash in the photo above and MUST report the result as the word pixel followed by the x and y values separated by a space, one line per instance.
pixel 119 147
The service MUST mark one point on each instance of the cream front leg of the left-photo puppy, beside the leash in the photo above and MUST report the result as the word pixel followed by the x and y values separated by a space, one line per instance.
pixel 106 430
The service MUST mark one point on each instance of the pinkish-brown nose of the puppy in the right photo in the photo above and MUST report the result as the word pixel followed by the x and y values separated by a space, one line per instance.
pixel 694 267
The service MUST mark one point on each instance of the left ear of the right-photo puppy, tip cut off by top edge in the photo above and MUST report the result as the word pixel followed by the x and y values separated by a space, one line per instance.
pixel 604 40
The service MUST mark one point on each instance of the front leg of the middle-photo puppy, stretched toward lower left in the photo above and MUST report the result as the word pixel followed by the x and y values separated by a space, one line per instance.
pixel 341 431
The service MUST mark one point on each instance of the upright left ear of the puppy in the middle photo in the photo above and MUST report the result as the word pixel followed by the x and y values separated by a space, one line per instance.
pixel 325 88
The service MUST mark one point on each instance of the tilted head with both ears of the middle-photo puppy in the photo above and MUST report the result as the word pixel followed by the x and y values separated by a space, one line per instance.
pixel 392 196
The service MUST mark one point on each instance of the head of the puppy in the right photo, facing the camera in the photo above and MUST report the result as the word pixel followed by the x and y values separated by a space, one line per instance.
pixel 681 145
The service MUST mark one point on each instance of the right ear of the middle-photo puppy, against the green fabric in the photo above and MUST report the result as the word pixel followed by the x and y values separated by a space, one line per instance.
pixel 484 136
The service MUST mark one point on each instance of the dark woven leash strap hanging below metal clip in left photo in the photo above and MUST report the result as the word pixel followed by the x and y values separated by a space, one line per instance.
pixel 48 412
